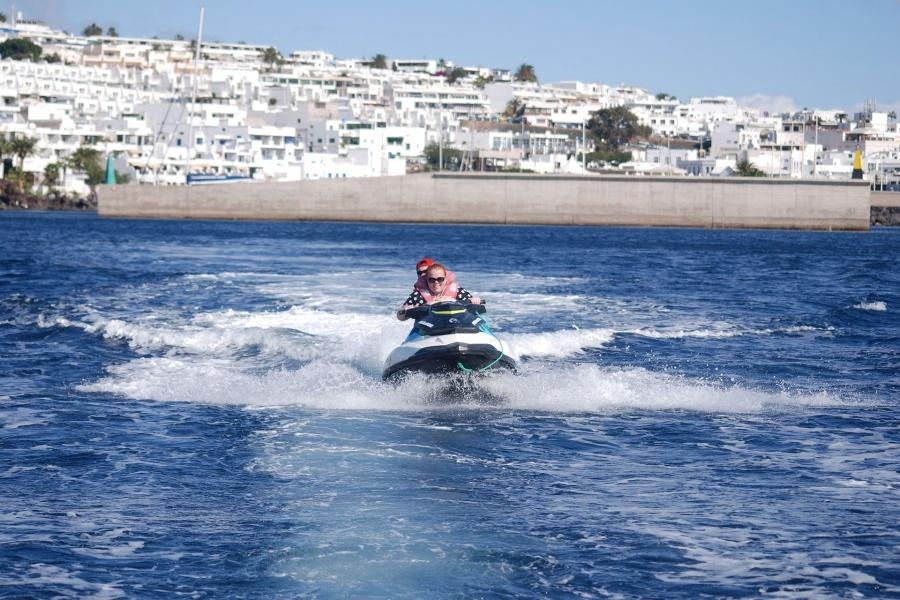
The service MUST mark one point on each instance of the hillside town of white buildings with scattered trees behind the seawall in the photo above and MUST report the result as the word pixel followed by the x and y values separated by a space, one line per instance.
pixel 77 111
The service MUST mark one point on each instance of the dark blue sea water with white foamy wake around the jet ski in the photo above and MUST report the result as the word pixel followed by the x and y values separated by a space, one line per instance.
pixel 195 409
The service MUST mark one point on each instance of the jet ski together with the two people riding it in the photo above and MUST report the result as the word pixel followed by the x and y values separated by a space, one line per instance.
pixel 449 335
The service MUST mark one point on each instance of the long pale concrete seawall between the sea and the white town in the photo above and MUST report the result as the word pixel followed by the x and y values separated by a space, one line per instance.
pixel 514 199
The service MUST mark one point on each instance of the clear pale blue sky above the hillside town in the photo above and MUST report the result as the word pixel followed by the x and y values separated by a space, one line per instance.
pixel 775 54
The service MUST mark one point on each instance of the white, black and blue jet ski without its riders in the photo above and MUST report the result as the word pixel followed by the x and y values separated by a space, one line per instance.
pixel 449 337
